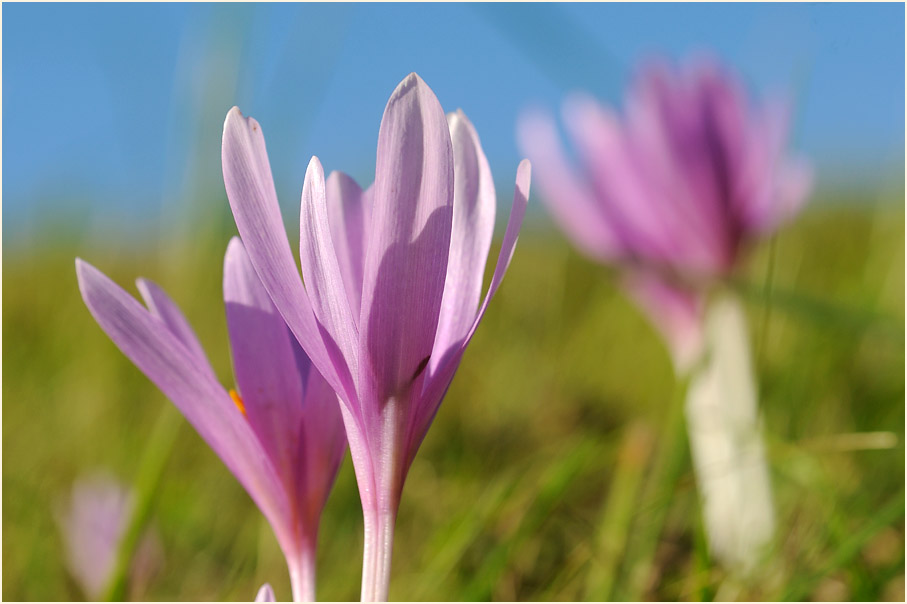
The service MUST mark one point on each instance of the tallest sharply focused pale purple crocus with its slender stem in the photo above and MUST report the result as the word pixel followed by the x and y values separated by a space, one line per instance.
pixel 393 279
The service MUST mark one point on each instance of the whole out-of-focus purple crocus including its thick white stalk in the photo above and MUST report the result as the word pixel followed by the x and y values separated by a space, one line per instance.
pixel 672 193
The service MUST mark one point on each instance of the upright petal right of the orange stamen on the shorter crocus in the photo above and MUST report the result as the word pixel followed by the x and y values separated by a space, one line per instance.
pixel 268 380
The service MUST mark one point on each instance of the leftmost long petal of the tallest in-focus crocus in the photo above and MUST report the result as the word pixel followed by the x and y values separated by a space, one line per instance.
pixel 250 189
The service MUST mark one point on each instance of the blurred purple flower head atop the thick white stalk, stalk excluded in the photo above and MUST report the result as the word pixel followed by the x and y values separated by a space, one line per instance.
pixel 673 190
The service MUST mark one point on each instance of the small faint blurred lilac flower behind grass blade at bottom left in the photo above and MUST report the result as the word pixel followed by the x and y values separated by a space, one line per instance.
pixel 93 524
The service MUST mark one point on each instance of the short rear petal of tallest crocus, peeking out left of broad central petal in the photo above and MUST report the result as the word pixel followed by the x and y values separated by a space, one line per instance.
pixel 348 214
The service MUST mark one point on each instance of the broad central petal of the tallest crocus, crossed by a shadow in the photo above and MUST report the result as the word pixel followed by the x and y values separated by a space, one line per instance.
pixel 408 243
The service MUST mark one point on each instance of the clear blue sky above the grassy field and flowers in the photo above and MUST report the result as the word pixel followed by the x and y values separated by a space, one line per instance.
pixel 115 110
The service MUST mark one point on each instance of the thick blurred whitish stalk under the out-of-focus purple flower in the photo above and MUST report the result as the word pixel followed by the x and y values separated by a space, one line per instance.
pixel 726 443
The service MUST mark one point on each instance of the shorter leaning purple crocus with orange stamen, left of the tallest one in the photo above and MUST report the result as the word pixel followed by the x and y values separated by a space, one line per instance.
pixel 281 435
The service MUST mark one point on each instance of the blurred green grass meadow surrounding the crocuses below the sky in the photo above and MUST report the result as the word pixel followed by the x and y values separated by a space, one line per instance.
pixel 534 482
